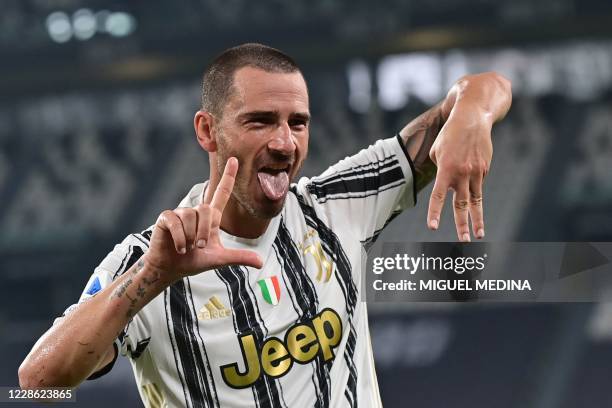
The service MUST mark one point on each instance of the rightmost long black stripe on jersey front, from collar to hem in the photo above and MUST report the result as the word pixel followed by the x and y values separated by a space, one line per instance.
pixel 331 245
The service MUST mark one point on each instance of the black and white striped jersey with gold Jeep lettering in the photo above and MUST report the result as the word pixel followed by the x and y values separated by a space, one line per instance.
pixel 293 334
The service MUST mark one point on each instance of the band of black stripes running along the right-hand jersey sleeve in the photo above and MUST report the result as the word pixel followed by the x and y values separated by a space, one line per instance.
pixel 359 187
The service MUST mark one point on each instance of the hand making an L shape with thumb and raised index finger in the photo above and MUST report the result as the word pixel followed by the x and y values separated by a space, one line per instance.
pixel 186 241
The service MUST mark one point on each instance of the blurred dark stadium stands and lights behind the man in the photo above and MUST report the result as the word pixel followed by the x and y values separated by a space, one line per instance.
pixel 96 107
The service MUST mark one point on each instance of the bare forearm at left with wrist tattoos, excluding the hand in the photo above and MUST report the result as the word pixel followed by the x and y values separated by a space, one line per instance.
pixel 74 347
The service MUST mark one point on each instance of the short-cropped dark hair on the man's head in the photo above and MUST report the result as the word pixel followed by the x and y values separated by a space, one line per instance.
pixel 218 79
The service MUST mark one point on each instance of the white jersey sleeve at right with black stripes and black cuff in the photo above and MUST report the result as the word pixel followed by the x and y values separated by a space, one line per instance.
pixel 364 192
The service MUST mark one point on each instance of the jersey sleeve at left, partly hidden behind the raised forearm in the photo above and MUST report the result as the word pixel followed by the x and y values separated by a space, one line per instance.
pixel 134 338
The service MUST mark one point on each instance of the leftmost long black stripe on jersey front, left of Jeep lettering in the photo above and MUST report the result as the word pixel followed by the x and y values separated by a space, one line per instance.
pixel 199 393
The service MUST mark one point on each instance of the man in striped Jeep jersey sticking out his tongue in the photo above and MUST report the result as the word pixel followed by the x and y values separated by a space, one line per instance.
pixel 247 294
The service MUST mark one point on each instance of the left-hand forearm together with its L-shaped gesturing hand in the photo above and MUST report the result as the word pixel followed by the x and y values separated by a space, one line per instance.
pixel 184 242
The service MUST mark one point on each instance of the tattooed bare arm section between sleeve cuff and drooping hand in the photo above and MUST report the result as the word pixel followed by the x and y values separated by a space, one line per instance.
pixel 418 136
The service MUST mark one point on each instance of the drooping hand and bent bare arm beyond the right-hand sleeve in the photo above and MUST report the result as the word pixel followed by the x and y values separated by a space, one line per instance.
pixel 452 141
